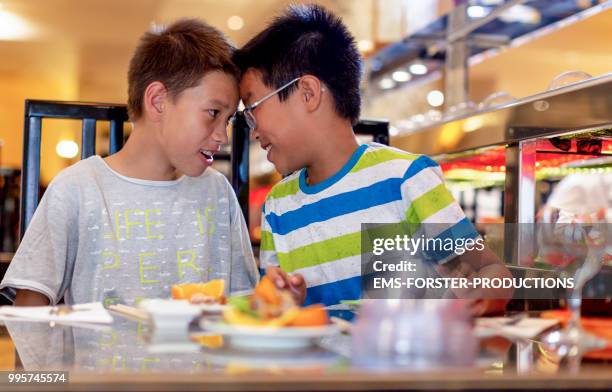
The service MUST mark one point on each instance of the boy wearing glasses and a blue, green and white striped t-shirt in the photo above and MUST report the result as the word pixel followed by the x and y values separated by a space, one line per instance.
pixel 300 85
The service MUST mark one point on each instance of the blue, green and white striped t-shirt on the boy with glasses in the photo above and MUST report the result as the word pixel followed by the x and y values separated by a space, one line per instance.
pixel 315 230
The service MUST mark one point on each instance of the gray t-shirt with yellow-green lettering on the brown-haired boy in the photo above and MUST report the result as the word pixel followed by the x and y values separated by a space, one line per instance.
pixel 101 236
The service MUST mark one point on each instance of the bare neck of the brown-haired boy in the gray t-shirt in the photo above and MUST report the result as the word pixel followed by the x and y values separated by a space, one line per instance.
pixel 142 157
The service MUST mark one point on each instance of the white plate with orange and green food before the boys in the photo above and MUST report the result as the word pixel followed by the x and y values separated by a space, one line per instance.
pixel 271 319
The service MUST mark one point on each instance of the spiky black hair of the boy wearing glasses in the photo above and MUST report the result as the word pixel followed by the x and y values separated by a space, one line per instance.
pixel 307 39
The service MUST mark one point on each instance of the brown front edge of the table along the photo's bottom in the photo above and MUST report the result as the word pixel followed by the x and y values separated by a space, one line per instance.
pixel 595 378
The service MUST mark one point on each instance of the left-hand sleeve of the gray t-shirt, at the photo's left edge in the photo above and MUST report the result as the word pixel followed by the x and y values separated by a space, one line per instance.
pixel 47 251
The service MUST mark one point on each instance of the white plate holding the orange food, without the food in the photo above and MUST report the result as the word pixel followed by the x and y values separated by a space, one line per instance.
pixel 269 338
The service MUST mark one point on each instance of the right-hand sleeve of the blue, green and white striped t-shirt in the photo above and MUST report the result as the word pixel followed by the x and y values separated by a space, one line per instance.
pixel 431 211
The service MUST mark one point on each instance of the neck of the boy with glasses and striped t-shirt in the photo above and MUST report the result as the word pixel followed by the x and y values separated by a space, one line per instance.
pixel 332 153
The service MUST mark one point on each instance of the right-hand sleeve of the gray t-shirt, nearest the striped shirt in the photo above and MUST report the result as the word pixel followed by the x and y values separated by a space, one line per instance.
pixel 244 275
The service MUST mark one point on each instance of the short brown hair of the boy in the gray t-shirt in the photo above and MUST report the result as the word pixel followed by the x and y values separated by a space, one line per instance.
pixel 177 56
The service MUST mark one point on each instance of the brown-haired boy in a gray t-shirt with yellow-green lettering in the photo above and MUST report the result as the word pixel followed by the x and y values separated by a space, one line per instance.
pixel 152 215
